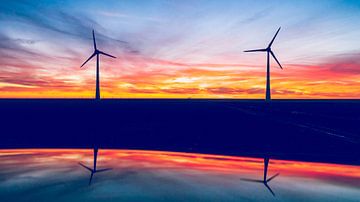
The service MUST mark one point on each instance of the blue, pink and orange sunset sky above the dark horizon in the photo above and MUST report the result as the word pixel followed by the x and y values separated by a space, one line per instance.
pixel 179 49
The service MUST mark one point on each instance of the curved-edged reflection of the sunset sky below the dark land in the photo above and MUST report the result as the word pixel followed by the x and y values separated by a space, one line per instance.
pixel 42 175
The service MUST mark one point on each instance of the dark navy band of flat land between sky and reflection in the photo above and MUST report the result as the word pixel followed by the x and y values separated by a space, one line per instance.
pixel 307 130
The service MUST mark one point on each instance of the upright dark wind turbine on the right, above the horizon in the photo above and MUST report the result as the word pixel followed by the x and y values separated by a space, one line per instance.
pixel 268 51
